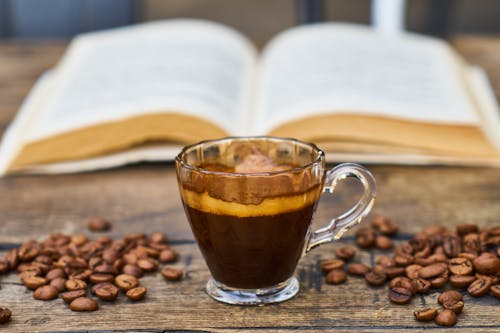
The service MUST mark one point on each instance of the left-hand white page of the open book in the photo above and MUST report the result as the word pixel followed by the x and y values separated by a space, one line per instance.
pixel 185 66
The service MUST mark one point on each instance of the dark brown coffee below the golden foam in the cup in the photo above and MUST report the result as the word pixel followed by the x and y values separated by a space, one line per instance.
pixel 251 252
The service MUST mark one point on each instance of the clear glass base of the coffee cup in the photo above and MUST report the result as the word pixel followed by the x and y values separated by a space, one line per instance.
pixel 278 293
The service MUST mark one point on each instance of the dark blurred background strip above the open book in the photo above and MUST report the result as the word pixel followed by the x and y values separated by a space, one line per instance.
pixel 258 19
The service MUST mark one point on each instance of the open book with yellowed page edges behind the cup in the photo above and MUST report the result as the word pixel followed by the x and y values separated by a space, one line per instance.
pixel 139 93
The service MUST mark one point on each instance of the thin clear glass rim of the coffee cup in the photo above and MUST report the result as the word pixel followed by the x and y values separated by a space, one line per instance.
pixel 184 164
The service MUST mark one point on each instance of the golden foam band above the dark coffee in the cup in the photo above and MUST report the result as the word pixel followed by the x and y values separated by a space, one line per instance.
pixel 268 206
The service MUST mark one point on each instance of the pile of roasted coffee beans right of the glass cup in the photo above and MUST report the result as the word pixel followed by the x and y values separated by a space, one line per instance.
pixel 468 258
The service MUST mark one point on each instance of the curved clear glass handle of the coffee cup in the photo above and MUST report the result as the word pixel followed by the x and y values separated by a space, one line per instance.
pixel 339 225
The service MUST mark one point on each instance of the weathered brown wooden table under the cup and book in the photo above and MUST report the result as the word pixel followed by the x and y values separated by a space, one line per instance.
pixel 144 198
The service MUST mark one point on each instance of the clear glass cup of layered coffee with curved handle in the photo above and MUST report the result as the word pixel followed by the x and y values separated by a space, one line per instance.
pixel 250 202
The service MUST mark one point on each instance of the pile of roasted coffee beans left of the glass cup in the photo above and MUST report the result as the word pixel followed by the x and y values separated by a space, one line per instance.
pixel 70 266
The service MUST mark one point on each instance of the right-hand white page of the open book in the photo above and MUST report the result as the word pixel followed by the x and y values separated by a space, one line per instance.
pixel 341 68
